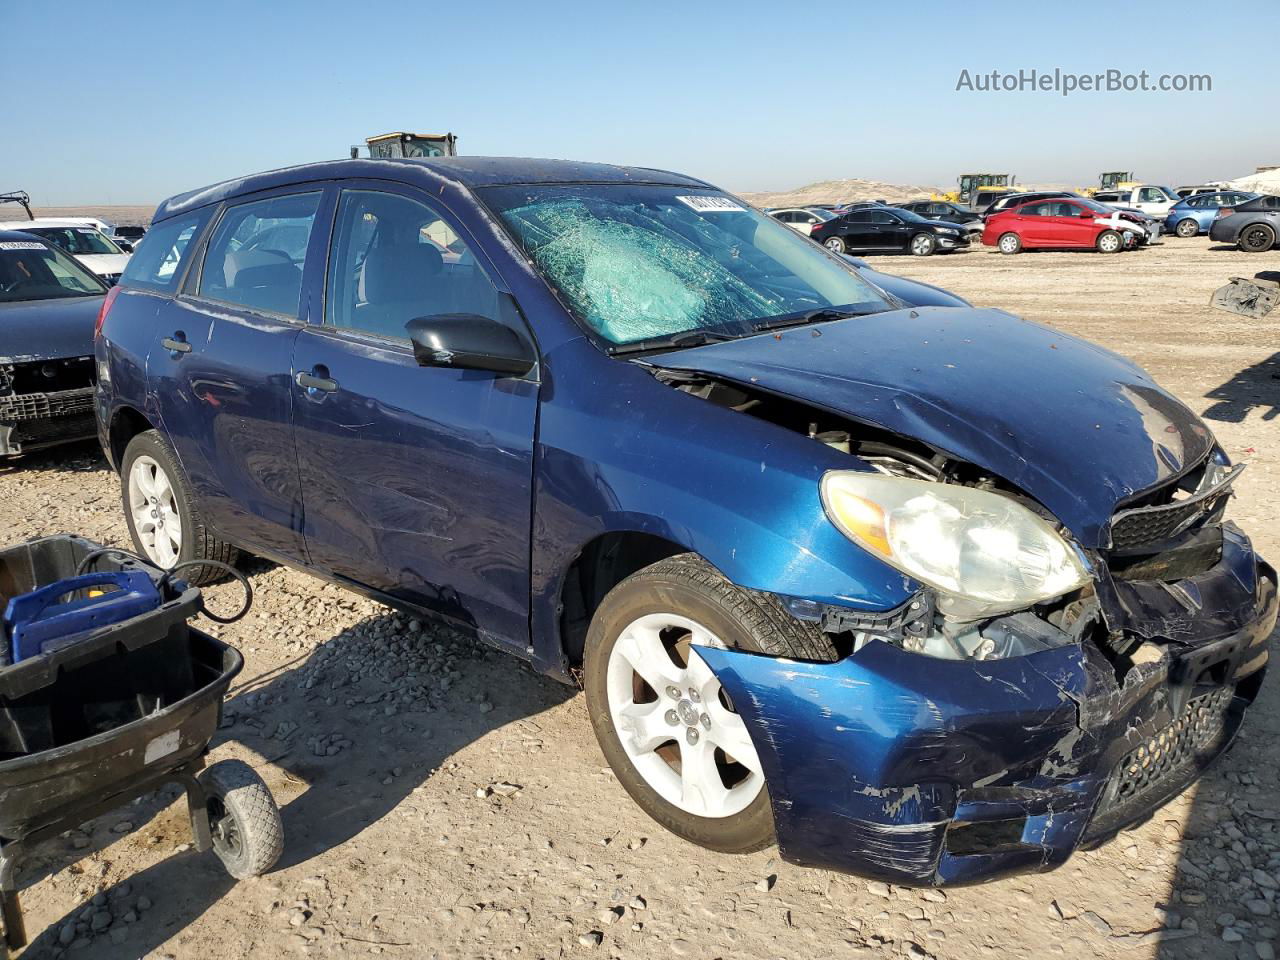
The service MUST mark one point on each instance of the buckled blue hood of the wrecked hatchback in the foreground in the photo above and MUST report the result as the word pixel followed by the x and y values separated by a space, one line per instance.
pixel 1069 423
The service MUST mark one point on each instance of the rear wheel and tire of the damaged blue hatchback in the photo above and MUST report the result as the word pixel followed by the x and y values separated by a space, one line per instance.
pixel 150 454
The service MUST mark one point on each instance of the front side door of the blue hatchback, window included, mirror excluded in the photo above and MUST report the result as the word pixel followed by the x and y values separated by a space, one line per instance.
pixel 418 482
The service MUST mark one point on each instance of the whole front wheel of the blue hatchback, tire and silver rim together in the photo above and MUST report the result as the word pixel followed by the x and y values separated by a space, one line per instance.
pixel 657 611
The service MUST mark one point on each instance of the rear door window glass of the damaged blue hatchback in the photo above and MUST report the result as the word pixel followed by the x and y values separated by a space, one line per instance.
pixel 258 253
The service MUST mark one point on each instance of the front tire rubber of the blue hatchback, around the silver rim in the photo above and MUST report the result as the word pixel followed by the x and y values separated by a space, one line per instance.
pixel 746 831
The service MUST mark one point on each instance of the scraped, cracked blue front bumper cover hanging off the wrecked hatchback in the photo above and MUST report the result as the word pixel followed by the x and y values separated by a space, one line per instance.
pixel 927 771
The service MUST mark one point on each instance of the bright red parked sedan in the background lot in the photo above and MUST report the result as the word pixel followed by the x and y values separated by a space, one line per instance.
pixel 1062 223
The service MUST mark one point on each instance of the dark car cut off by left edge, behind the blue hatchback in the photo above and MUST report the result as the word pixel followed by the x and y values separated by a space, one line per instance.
pixel 48 308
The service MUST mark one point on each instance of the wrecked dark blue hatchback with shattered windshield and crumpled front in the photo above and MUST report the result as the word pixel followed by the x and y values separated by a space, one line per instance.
pixel 926 593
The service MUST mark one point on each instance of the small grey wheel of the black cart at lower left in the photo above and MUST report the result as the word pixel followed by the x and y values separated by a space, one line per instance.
pixel 244 820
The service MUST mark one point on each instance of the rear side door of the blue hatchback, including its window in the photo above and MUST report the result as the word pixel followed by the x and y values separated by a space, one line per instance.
pixel 222 368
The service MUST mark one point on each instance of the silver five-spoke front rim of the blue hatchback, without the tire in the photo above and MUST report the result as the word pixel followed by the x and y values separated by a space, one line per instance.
pixel 675 723
